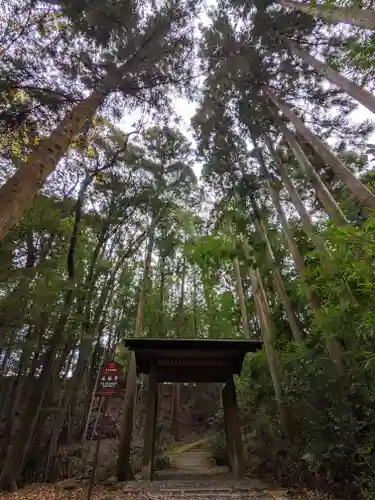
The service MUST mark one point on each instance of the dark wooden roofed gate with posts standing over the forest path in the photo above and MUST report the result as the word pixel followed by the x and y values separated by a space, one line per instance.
pixel 184 361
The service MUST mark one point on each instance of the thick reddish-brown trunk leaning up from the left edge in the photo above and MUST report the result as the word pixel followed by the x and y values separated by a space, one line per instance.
pixel 19 191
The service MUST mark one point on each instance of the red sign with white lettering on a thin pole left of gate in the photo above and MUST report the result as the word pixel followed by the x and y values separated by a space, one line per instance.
pixel 108 385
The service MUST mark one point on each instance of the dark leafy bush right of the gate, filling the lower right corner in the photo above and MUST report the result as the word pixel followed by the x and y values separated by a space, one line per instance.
pixel 332 423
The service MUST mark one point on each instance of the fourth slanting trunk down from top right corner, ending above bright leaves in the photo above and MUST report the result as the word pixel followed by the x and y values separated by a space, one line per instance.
pixel 330 206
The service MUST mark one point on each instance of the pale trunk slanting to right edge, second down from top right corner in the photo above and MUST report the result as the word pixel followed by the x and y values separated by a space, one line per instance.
pixel 361 95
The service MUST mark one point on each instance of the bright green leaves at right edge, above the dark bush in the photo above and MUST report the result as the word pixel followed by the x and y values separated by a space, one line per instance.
pixel 352 250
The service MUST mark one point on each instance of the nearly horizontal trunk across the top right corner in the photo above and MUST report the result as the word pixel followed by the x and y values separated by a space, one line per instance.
pixel 364 18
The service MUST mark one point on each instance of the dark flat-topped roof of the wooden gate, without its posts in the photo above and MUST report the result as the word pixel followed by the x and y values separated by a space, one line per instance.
pixel 191 360
